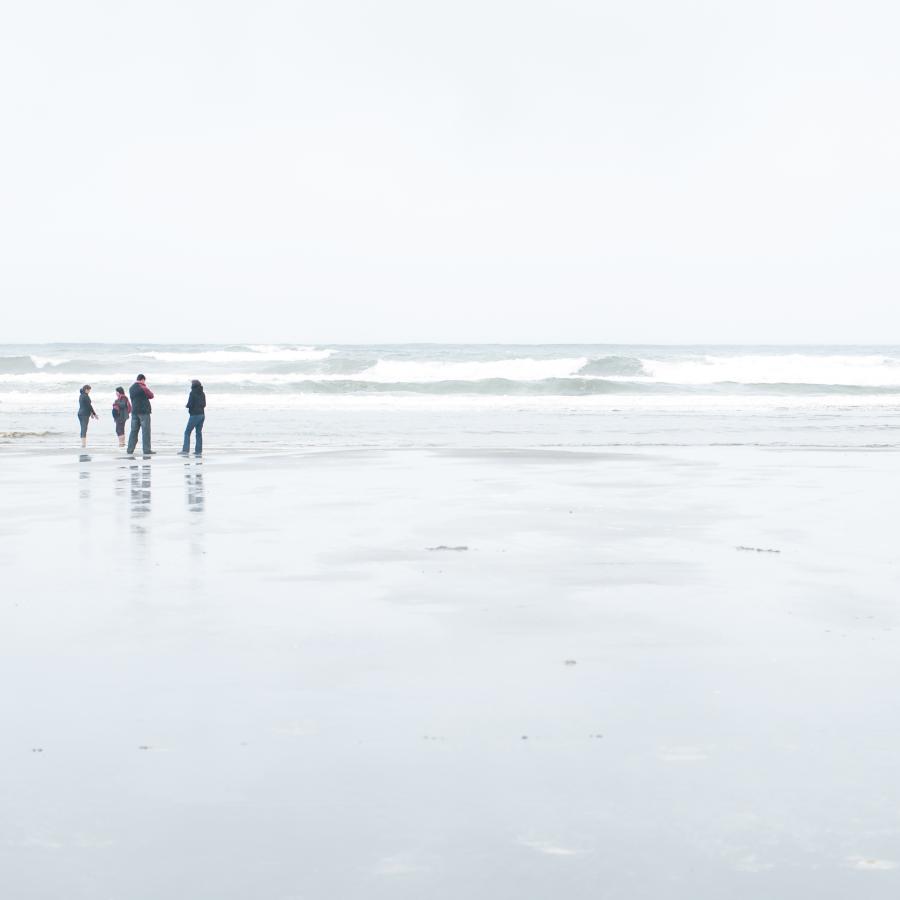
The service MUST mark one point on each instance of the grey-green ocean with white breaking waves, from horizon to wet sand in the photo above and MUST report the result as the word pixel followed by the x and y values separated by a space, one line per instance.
pixel 287 396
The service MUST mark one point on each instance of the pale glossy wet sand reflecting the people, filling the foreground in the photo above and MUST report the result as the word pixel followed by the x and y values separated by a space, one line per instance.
pixel 278 676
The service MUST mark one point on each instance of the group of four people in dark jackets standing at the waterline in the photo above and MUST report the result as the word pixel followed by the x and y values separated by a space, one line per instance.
pixel 136 406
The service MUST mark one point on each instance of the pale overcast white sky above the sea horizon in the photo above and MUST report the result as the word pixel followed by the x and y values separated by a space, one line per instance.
pixel 649 171
